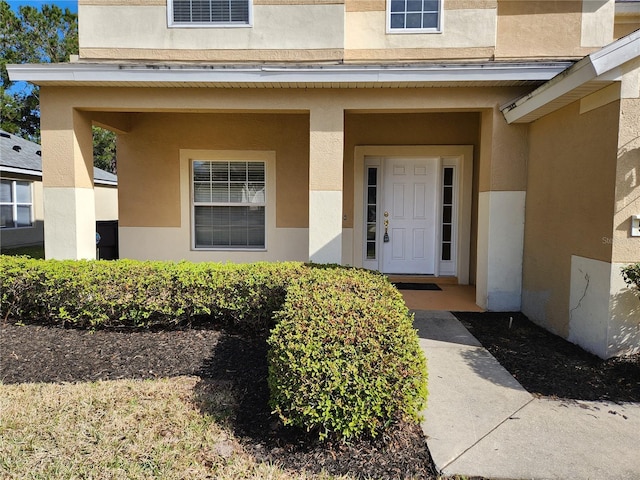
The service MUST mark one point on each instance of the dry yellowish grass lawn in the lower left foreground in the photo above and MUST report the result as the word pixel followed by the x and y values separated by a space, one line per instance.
pixel 123 429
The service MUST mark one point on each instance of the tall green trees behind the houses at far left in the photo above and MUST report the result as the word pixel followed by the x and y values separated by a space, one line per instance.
pixel 45 35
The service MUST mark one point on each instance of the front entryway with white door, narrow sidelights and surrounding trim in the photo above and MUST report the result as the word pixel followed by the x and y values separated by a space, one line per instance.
pixel 417 210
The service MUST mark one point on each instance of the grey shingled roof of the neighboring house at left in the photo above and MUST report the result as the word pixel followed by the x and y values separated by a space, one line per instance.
pixel 18 155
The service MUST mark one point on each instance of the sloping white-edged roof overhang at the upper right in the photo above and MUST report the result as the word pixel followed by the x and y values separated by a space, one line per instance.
pixel 590 74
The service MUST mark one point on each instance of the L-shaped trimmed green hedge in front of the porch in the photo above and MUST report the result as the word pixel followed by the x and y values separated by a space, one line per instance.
pixel 344 360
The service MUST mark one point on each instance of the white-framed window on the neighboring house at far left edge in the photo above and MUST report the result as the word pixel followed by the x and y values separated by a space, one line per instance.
pixel 16 204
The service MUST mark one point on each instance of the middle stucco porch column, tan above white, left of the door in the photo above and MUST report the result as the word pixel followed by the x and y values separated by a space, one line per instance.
pixel 326 140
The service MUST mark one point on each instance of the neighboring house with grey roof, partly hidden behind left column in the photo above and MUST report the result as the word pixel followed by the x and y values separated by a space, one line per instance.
pixel 21 199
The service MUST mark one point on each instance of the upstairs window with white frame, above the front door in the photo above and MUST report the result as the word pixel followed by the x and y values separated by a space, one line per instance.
pixel 407 16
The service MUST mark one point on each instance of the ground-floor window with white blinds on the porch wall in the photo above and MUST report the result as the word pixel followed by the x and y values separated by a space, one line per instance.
pixel 229 203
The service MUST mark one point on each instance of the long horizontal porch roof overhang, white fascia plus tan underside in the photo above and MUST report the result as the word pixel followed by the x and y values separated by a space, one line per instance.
pixel 287 76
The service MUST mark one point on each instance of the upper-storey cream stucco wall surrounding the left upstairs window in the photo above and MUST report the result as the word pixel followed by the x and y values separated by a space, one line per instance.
pixel 280 32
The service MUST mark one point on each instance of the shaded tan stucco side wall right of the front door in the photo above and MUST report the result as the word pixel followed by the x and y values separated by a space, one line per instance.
pixel 570 201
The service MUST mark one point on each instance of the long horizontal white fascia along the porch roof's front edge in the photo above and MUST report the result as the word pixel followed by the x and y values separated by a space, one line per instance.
pixel 92 72
